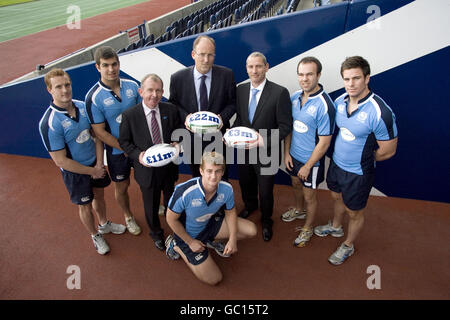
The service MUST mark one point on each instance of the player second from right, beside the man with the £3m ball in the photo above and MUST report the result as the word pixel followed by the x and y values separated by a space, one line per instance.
pixel 313 116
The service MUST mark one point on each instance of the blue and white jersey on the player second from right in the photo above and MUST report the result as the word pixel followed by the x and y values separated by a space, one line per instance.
pixel 315 118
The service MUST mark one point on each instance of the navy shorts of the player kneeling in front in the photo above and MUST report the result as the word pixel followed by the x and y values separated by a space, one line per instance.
pixel 208 234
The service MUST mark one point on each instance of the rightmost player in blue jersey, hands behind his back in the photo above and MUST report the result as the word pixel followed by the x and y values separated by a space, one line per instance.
pixel 367 133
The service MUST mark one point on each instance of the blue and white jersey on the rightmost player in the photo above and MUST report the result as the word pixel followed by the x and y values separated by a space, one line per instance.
pixel 358 133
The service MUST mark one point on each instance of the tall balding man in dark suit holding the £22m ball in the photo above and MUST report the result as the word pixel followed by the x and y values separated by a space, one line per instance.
pixel 204 87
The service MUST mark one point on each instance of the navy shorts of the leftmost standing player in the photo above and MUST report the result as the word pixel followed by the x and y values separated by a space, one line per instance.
pixel 80 186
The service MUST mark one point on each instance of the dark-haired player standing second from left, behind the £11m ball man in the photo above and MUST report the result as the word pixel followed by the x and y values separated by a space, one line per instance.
pixel 105 102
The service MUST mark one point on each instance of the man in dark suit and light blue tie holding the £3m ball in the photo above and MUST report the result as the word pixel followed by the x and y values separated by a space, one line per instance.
pixel 261 104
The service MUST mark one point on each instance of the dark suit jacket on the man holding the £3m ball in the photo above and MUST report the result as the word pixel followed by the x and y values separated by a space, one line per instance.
pixel 274 111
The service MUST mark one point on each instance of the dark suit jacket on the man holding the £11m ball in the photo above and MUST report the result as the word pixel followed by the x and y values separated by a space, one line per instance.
pixel 134 137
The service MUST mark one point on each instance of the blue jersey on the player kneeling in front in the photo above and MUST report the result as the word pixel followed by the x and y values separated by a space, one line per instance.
pixel 188 199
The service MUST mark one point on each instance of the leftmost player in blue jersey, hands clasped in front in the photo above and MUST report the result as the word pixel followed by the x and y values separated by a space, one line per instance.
pixel 66 134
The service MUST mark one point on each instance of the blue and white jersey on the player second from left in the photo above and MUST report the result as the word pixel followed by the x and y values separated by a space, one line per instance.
pixel 103 105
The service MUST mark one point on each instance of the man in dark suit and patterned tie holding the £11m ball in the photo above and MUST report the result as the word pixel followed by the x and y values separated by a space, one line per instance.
pixel 144 125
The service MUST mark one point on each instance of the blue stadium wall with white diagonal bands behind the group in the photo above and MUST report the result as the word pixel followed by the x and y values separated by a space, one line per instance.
pixel 406 43
